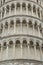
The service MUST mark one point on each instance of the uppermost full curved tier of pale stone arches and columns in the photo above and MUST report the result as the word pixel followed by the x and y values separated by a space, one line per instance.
pixel 28 8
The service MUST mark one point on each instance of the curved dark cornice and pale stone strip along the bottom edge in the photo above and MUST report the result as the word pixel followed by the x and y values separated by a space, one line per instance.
pixel 21 62
